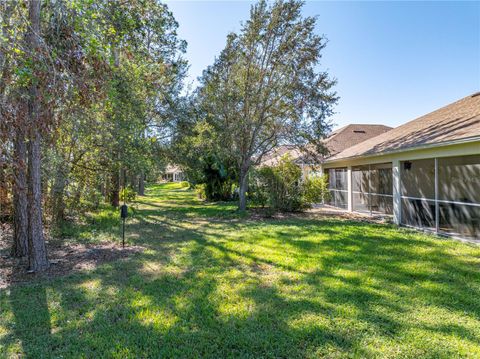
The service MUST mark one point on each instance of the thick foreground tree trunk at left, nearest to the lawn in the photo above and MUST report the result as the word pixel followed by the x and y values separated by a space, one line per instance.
pixel 37 255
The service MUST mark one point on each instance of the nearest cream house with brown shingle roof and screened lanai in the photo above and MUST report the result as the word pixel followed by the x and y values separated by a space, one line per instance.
pixel 425 173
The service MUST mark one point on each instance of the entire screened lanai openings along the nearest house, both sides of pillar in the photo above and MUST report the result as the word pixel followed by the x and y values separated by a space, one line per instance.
pixel 438 194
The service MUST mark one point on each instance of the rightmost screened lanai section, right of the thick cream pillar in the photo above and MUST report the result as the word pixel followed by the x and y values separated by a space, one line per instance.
pixel 442 194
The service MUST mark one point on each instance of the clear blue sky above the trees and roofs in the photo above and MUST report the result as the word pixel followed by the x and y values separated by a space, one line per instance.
pixel 394 61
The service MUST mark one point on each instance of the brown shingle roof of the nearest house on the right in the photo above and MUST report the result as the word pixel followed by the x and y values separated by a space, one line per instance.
pixel 457 121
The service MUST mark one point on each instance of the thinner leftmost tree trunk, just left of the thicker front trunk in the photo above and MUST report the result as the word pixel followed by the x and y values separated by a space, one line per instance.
pixel 20 204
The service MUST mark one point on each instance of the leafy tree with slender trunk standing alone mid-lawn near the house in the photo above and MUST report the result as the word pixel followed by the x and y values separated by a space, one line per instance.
pixel 265 88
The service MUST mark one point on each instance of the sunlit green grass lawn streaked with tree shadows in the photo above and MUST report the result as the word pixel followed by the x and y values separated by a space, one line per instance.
pixel 213 283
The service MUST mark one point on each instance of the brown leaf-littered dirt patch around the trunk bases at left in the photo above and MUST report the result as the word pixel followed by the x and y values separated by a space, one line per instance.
pixel 65 258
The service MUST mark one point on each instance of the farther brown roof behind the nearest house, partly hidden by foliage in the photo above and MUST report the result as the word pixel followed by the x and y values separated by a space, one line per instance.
pixel 336 142
